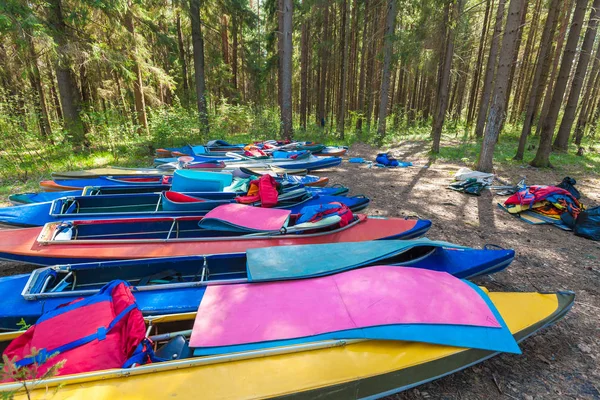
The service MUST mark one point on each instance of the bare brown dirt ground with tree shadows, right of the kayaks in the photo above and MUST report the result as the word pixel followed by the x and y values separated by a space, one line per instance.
pixel 562 361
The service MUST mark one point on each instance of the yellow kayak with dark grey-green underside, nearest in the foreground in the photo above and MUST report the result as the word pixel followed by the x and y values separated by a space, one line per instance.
pixel 344 369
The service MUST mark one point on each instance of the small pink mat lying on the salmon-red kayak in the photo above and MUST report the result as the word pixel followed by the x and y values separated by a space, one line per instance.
pixel 256 218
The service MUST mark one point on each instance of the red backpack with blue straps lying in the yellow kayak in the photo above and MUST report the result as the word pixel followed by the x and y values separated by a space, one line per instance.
pixel 98 332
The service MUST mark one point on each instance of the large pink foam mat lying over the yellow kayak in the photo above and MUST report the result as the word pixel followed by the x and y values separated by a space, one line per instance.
pixel 374 296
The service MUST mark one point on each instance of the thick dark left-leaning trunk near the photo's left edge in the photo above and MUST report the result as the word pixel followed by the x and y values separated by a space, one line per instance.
pixel 67 86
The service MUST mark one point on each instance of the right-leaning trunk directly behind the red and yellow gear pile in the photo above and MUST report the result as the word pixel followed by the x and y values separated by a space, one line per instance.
pixel 542 157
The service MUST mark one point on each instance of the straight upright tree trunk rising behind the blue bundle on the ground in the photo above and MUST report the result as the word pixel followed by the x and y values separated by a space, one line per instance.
pixel 387 68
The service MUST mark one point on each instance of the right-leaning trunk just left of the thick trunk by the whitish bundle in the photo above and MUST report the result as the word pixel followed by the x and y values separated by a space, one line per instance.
pixel 444 83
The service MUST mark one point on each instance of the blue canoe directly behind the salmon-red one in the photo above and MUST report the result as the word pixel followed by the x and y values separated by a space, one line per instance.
pixel 147 205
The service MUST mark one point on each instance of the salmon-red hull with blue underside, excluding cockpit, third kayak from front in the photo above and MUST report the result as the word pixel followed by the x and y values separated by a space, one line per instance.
pixel 23 245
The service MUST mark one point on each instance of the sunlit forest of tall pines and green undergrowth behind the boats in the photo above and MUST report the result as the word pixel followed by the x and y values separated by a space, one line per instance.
pixel 104 82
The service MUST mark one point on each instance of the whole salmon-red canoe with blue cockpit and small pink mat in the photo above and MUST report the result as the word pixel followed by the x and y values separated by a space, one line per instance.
pixel 87 241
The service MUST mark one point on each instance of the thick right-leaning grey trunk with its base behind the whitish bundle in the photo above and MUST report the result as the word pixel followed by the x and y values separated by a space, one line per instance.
pixel 501 90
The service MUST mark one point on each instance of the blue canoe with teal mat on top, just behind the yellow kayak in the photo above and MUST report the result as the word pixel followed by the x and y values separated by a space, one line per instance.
pixel 177 284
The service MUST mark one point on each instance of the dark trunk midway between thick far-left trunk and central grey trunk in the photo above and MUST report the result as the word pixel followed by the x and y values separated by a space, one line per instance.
pixel 198 46
